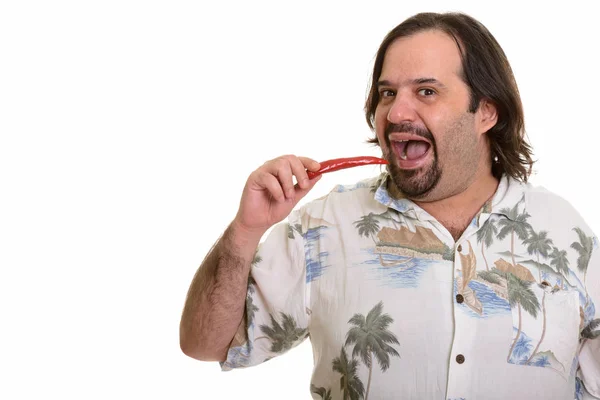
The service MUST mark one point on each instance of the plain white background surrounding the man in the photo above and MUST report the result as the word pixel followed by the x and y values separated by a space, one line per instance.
pixel 128 129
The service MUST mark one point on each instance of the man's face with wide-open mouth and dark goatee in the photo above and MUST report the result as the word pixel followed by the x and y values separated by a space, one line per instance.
pixel 431 140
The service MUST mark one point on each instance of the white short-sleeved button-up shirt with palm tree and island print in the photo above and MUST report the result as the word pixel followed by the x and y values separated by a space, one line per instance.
pixel 396 309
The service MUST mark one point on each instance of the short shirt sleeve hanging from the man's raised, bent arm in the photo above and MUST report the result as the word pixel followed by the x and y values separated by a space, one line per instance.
pixel 275 318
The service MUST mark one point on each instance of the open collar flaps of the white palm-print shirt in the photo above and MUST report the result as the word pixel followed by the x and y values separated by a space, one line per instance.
pixel 509 193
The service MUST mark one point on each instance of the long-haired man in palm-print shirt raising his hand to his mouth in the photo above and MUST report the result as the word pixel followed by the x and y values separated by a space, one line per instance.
pixel 448 276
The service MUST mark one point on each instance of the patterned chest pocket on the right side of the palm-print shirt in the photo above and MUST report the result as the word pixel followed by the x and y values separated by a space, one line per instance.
pixel 545 326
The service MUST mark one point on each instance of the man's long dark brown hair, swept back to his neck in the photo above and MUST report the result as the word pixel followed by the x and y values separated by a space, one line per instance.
pixel 487 73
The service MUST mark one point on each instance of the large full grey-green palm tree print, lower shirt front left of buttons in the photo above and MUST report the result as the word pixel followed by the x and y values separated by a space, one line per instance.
pixel 371 337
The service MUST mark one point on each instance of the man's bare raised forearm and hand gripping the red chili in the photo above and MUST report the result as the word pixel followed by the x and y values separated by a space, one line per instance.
pixel 215 302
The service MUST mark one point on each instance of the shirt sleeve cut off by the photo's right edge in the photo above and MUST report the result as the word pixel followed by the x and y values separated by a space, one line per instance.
pixel 589 354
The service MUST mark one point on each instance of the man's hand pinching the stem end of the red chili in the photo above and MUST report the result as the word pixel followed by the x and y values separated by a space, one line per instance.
pixel 270 194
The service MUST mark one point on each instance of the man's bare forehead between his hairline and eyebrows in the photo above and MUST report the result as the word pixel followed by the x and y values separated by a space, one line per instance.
pixel 428 53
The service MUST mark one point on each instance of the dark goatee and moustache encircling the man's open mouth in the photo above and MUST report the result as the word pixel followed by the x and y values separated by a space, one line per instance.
pixel 414 183
